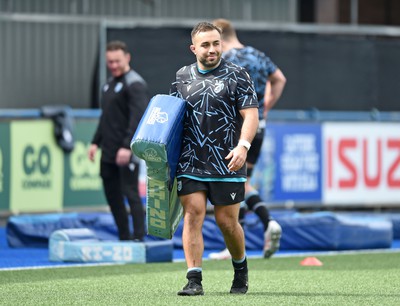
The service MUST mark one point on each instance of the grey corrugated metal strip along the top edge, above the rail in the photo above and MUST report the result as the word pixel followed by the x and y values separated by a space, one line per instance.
pixel 261 10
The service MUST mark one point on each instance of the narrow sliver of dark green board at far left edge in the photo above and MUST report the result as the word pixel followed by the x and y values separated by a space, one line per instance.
pixel 4 166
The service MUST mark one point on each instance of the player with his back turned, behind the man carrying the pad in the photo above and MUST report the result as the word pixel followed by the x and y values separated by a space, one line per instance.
pixel 269 83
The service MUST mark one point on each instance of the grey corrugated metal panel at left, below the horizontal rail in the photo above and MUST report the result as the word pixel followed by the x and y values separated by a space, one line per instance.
pixel 46 62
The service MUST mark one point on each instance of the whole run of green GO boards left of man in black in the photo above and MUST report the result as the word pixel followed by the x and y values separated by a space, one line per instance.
pixel 36 175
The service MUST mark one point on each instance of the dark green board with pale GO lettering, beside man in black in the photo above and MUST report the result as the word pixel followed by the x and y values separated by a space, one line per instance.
pixel 82 182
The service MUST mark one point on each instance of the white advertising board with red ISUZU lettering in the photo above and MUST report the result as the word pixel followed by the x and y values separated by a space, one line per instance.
pixel 361 163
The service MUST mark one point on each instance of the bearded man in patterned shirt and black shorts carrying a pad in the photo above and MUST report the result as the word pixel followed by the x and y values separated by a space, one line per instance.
pixel 220 123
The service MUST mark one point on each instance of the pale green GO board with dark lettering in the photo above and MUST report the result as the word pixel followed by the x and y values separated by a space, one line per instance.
pixel 37 169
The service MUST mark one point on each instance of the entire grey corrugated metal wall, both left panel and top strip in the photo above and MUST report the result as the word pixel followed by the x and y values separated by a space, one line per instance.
pixel 48 50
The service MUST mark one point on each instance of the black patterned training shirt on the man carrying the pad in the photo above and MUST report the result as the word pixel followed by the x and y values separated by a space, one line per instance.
pixel 212 122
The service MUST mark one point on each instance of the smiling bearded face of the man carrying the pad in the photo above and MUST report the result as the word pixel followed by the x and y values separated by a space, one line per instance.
pixel 207 48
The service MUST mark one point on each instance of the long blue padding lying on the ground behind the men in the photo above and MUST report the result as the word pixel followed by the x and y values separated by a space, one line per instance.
pixel 314 231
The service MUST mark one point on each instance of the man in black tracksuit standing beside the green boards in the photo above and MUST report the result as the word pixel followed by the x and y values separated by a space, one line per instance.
pixel 124 100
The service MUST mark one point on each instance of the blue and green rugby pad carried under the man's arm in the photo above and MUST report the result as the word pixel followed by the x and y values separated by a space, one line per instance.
pixel 158 141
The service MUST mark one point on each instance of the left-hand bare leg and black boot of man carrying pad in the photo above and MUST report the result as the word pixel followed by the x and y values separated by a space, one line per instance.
pixel 194 211
